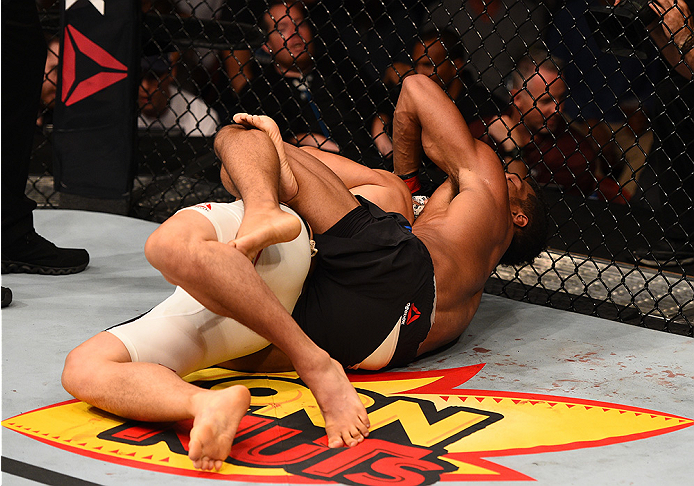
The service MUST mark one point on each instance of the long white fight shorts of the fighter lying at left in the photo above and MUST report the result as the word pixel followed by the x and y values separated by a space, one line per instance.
pixel 184 336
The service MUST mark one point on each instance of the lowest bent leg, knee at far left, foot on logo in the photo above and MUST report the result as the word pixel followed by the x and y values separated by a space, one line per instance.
pixel 100 372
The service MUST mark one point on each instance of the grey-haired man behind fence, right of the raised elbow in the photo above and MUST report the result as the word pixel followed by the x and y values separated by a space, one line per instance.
pixel 533 135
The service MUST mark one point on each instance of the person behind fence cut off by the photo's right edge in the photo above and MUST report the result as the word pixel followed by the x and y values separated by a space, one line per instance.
pixel 672 158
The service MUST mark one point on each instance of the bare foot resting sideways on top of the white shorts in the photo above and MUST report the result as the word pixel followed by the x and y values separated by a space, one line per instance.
pixel 264 227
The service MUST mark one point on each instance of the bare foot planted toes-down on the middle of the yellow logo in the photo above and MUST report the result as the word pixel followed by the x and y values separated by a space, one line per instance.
pixel 346 420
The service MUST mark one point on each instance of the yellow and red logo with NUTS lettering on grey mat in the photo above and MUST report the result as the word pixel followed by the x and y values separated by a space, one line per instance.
pixel 424 430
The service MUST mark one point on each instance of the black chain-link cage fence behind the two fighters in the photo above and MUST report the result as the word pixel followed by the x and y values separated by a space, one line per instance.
pixel 583 98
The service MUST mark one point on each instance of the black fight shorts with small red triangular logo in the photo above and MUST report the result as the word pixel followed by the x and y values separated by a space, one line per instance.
pixel 371 273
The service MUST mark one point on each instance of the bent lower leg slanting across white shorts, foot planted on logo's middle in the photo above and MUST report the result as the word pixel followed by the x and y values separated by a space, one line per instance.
pixel 219 276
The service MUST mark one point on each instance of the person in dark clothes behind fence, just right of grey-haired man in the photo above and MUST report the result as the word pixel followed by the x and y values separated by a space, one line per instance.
pixel 610 95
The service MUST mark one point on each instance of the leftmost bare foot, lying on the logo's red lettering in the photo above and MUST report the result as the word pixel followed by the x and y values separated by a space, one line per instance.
pixel 217 416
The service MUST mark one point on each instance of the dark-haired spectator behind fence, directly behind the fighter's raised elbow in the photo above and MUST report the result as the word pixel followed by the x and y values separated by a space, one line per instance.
pixel 441 56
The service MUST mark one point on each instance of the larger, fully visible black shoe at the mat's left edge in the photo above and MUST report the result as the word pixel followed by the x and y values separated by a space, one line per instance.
pixel 35 254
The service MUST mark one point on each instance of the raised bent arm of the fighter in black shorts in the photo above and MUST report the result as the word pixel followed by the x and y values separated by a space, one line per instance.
pixel 427 120
